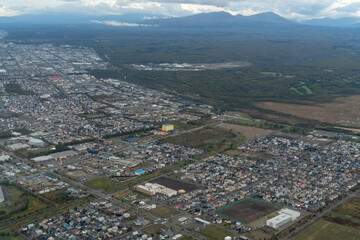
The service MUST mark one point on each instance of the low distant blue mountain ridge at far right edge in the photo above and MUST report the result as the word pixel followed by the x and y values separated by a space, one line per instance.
pixel 349 22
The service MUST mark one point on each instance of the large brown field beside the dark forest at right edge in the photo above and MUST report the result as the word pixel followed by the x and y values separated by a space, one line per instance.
pixel 343 110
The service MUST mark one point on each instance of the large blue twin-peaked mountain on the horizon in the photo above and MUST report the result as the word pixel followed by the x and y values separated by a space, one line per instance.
pixel 221 20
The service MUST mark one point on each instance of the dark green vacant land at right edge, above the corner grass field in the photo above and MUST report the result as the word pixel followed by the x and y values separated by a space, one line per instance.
pixel 348 214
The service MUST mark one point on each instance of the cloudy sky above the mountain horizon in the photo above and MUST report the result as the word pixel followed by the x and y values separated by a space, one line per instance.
pixel 296 9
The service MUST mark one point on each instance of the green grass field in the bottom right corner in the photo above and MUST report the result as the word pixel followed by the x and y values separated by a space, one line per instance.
pixel 325 230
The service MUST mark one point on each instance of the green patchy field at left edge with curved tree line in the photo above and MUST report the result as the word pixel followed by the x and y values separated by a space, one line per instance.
pixel 22 204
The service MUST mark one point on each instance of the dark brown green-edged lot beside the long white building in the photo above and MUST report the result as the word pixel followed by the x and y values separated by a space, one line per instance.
pixel 247 210
